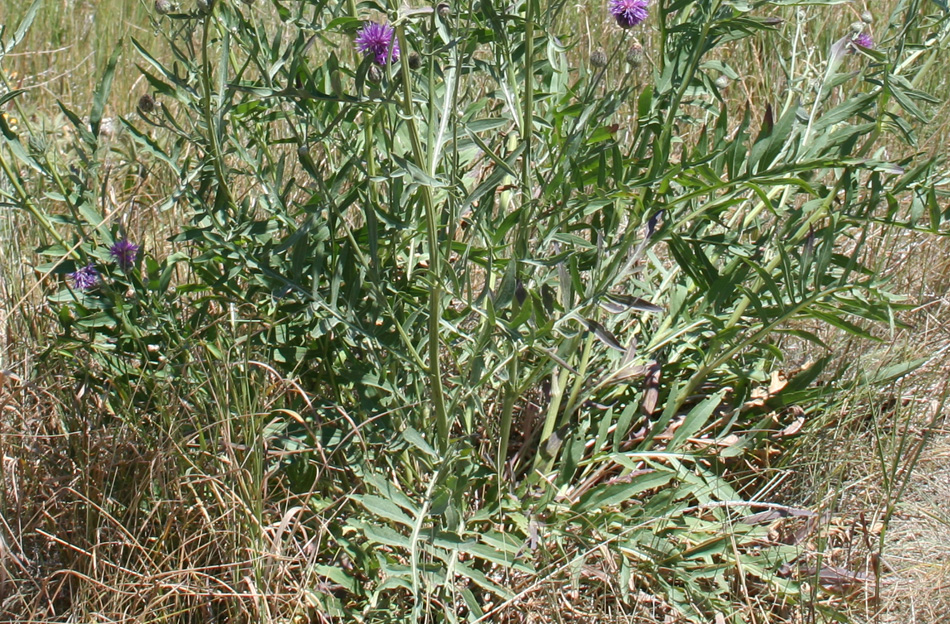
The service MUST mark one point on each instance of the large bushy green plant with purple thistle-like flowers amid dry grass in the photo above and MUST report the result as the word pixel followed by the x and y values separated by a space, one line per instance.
pixel 521 301
